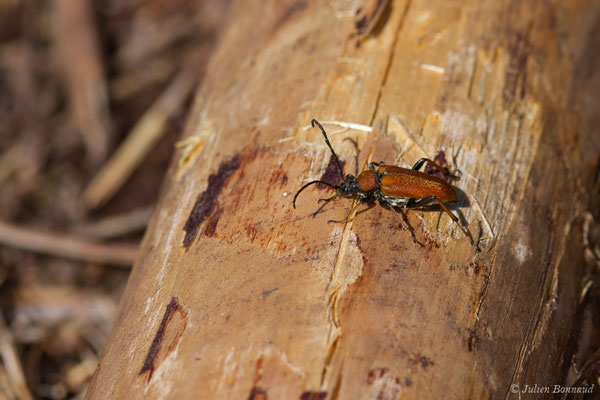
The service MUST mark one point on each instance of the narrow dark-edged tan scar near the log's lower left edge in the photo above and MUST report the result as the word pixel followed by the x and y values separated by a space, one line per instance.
pixel 166 338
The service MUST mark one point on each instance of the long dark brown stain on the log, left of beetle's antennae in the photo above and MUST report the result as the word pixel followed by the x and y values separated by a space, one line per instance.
pixel 206 201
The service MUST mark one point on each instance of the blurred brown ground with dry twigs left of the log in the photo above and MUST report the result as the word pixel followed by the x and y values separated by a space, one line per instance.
pixel 93 98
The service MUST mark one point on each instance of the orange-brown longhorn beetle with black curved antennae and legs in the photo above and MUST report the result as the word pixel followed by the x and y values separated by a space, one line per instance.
pixel 392 186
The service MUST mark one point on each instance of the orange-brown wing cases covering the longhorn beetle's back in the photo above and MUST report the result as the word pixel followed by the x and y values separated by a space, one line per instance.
pixel 416 185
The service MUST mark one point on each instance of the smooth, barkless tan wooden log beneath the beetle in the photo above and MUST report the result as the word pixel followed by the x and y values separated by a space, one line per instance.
pixel 237 295
